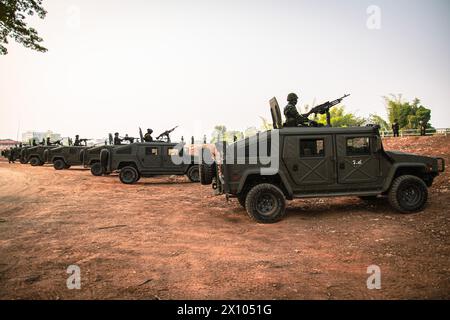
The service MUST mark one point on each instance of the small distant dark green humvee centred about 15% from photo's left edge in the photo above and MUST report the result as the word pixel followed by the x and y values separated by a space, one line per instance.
pixel 63 157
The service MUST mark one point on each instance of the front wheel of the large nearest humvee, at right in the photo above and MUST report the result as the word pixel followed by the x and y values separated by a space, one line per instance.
pixel 408 194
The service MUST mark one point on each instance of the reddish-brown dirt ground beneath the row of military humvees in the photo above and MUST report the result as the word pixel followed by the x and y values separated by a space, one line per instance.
pixel 167 238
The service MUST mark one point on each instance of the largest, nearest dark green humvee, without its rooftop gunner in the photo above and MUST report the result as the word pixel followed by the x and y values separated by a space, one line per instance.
pixel 316 162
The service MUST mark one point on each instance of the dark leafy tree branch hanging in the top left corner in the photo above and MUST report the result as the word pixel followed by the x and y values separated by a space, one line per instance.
pixel 12 23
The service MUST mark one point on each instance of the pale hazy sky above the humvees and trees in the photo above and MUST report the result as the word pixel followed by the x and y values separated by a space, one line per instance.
pixel 119 65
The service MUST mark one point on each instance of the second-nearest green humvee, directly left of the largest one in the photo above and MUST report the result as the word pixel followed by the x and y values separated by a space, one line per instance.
pixel 137 160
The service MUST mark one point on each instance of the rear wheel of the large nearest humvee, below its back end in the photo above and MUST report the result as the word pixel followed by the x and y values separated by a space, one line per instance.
pixel 265 203
